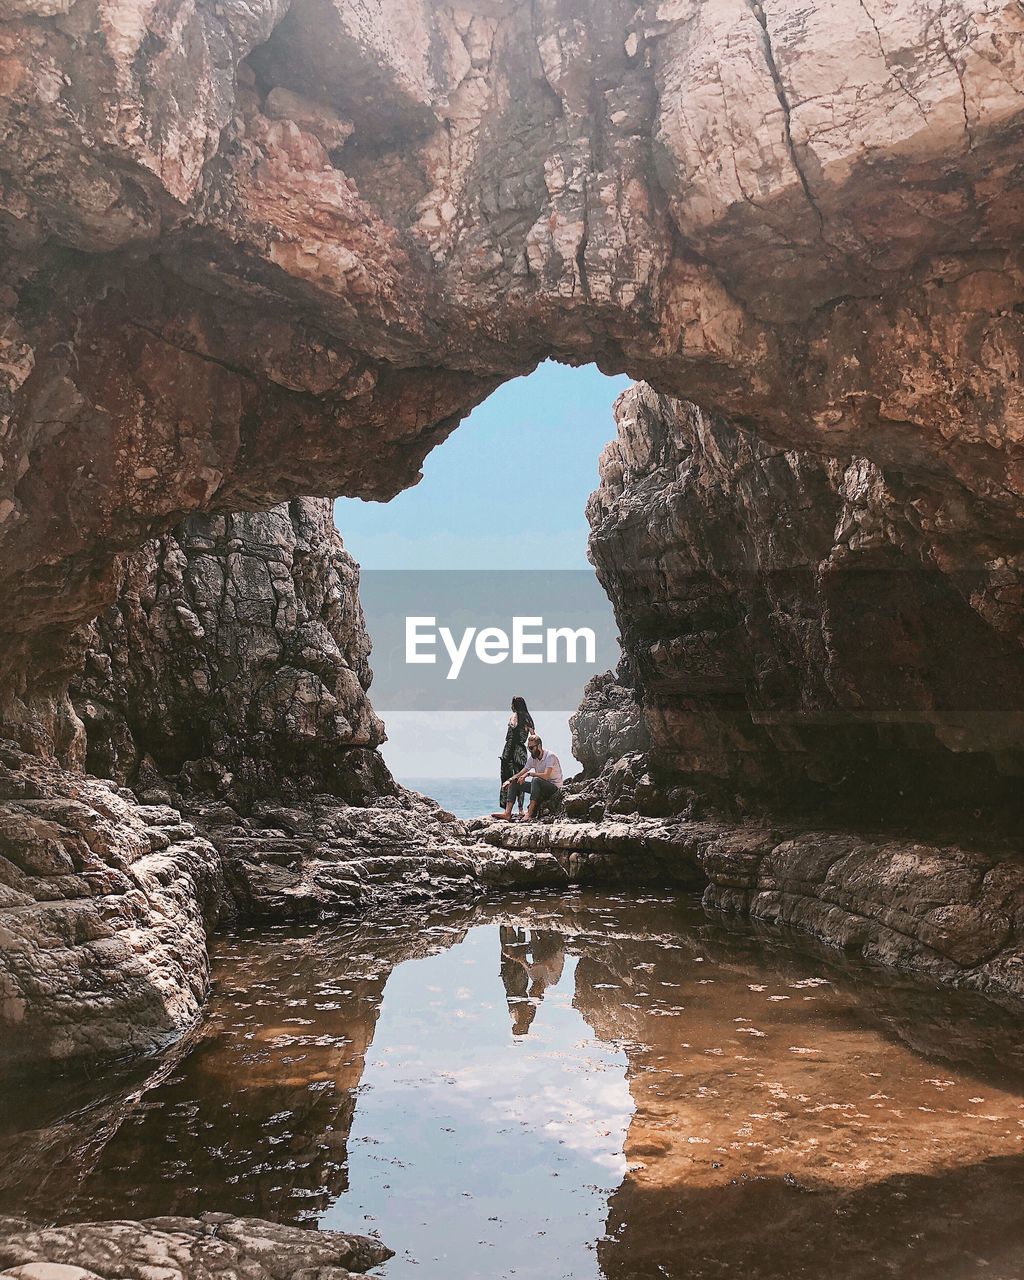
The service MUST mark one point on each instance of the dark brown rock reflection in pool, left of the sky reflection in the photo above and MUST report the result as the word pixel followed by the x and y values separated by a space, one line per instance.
pixel 259 1109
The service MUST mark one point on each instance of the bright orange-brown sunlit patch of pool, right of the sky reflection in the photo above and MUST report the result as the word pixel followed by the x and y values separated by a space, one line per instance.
pixel 728 1085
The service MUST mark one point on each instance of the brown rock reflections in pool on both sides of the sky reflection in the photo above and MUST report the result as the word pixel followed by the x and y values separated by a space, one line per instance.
pixel 780 1096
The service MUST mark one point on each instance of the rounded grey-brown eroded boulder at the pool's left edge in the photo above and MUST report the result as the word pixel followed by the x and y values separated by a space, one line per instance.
pixel 104 907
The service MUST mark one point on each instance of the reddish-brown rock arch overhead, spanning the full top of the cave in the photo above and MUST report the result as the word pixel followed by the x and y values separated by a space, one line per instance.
pixel 253 252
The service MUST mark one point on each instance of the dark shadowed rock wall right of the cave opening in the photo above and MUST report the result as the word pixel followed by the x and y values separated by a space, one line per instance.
pixel 808 630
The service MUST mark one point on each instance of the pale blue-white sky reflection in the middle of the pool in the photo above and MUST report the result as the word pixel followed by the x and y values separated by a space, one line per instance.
pixel 478 1154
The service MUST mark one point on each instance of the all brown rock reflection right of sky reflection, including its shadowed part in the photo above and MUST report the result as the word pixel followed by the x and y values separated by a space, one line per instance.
pixel 769 1156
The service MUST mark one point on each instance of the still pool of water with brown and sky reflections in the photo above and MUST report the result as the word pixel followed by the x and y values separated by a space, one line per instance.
pixel 574 1086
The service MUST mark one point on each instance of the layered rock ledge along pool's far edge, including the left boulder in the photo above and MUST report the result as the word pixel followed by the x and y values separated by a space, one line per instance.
pixel 106 904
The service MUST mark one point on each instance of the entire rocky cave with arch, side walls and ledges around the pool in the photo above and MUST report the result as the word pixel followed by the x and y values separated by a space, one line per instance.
pixel 259 255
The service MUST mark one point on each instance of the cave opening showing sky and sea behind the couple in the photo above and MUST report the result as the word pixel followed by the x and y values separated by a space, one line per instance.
pixel 499 516
